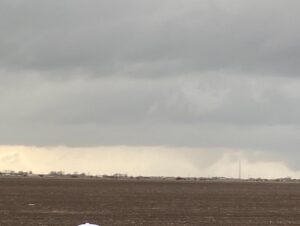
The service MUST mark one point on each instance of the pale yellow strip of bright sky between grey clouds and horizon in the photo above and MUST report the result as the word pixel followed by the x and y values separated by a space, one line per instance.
pixel 145 161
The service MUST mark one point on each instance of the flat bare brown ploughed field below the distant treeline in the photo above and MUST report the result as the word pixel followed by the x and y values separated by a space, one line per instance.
pixel 41 201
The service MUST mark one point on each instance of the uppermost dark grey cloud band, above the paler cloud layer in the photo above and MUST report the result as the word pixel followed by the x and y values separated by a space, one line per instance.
pixel 150 38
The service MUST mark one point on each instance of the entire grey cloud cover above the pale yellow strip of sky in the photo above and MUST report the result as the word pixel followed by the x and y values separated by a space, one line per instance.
pixel 196 74
